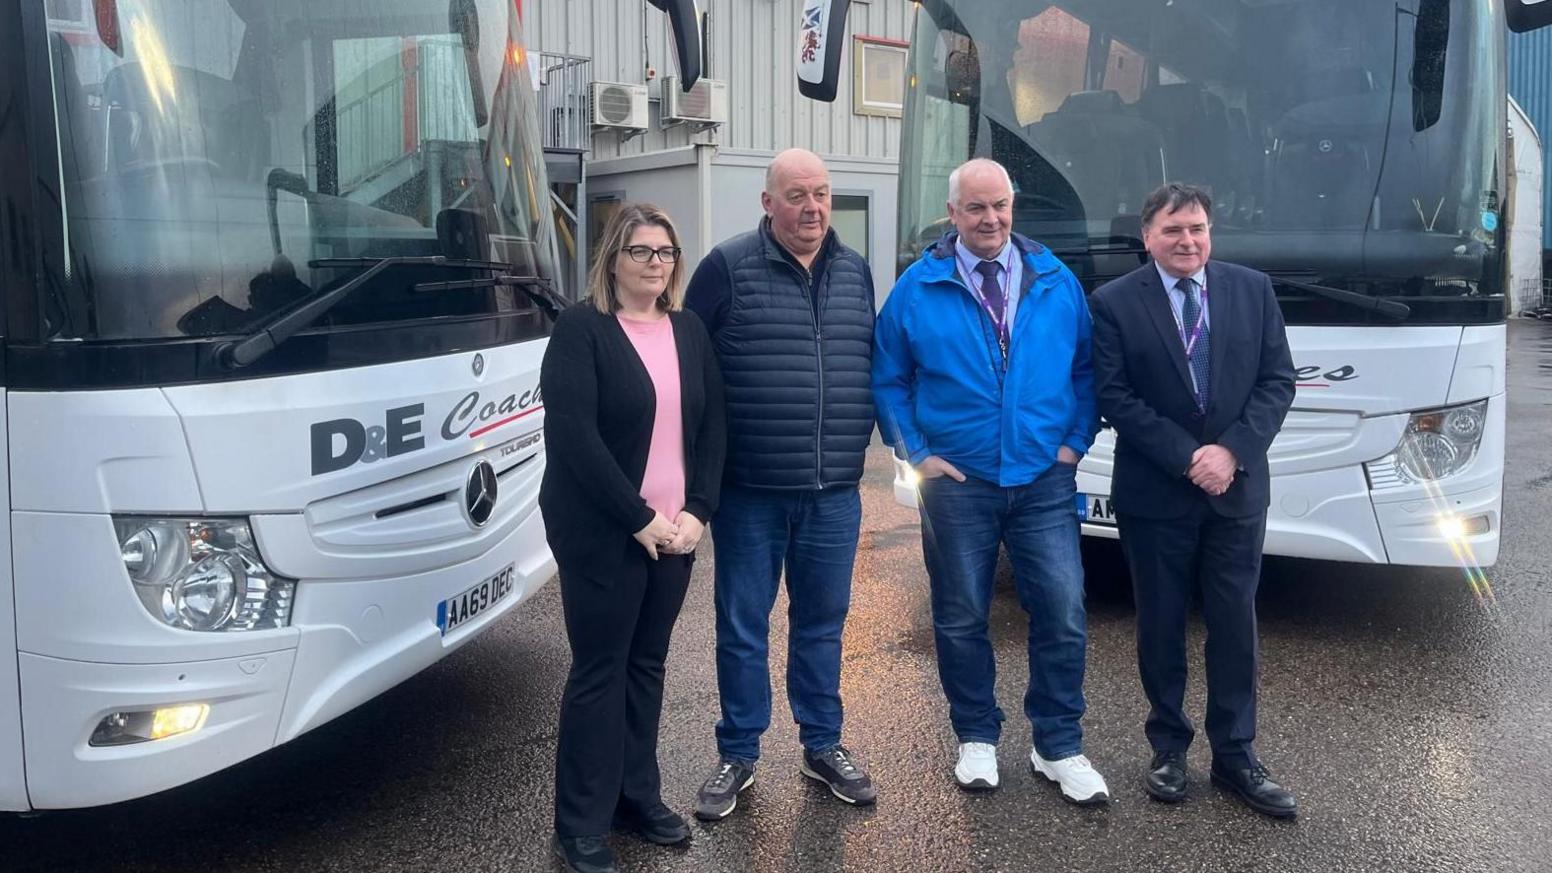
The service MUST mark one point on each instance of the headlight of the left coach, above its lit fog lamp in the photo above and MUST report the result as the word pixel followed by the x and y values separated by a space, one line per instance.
pixel 203 574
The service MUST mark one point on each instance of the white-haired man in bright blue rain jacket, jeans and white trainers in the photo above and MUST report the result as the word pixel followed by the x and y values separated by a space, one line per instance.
pixel 985 386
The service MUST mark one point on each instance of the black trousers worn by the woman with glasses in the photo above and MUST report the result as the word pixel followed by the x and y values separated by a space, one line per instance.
pixel 618 628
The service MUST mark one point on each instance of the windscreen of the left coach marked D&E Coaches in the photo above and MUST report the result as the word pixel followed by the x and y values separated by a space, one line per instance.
pixel 223 159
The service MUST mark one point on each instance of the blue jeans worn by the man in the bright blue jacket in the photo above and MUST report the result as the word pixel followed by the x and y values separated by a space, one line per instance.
pixel 963 524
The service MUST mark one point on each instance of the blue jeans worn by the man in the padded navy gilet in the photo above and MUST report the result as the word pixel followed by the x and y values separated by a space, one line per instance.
pixel 758 534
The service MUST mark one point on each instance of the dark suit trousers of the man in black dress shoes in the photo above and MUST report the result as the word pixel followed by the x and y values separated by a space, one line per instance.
pixel 1171 560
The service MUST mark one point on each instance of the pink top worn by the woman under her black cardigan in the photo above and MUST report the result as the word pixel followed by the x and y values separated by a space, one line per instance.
pixel 663 485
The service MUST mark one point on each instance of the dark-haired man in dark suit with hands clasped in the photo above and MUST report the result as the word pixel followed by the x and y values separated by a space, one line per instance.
pixel 1193 369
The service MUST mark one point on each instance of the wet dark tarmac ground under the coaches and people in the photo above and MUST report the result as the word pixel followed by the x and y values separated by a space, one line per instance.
pixel 1413 722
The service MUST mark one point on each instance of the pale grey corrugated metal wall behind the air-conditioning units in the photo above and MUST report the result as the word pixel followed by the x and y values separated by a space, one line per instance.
pixel 753 46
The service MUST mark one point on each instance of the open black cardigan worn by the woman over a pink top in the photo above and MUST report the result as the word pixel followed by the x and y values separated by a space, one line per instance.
pixel 600 405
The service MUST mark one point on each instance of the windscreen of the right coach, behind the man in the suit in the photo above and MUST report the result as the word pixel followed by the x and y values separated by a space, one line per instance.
pixel 1343 142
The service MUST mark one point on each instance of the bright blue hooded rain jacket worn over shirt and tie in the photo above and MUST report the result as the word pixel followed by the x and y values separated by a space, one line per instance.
pixel 943 389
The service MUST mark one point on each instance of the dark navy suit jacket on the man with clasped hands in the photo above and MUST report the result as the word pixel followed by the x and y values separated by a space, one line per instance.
pixel 1146 395
